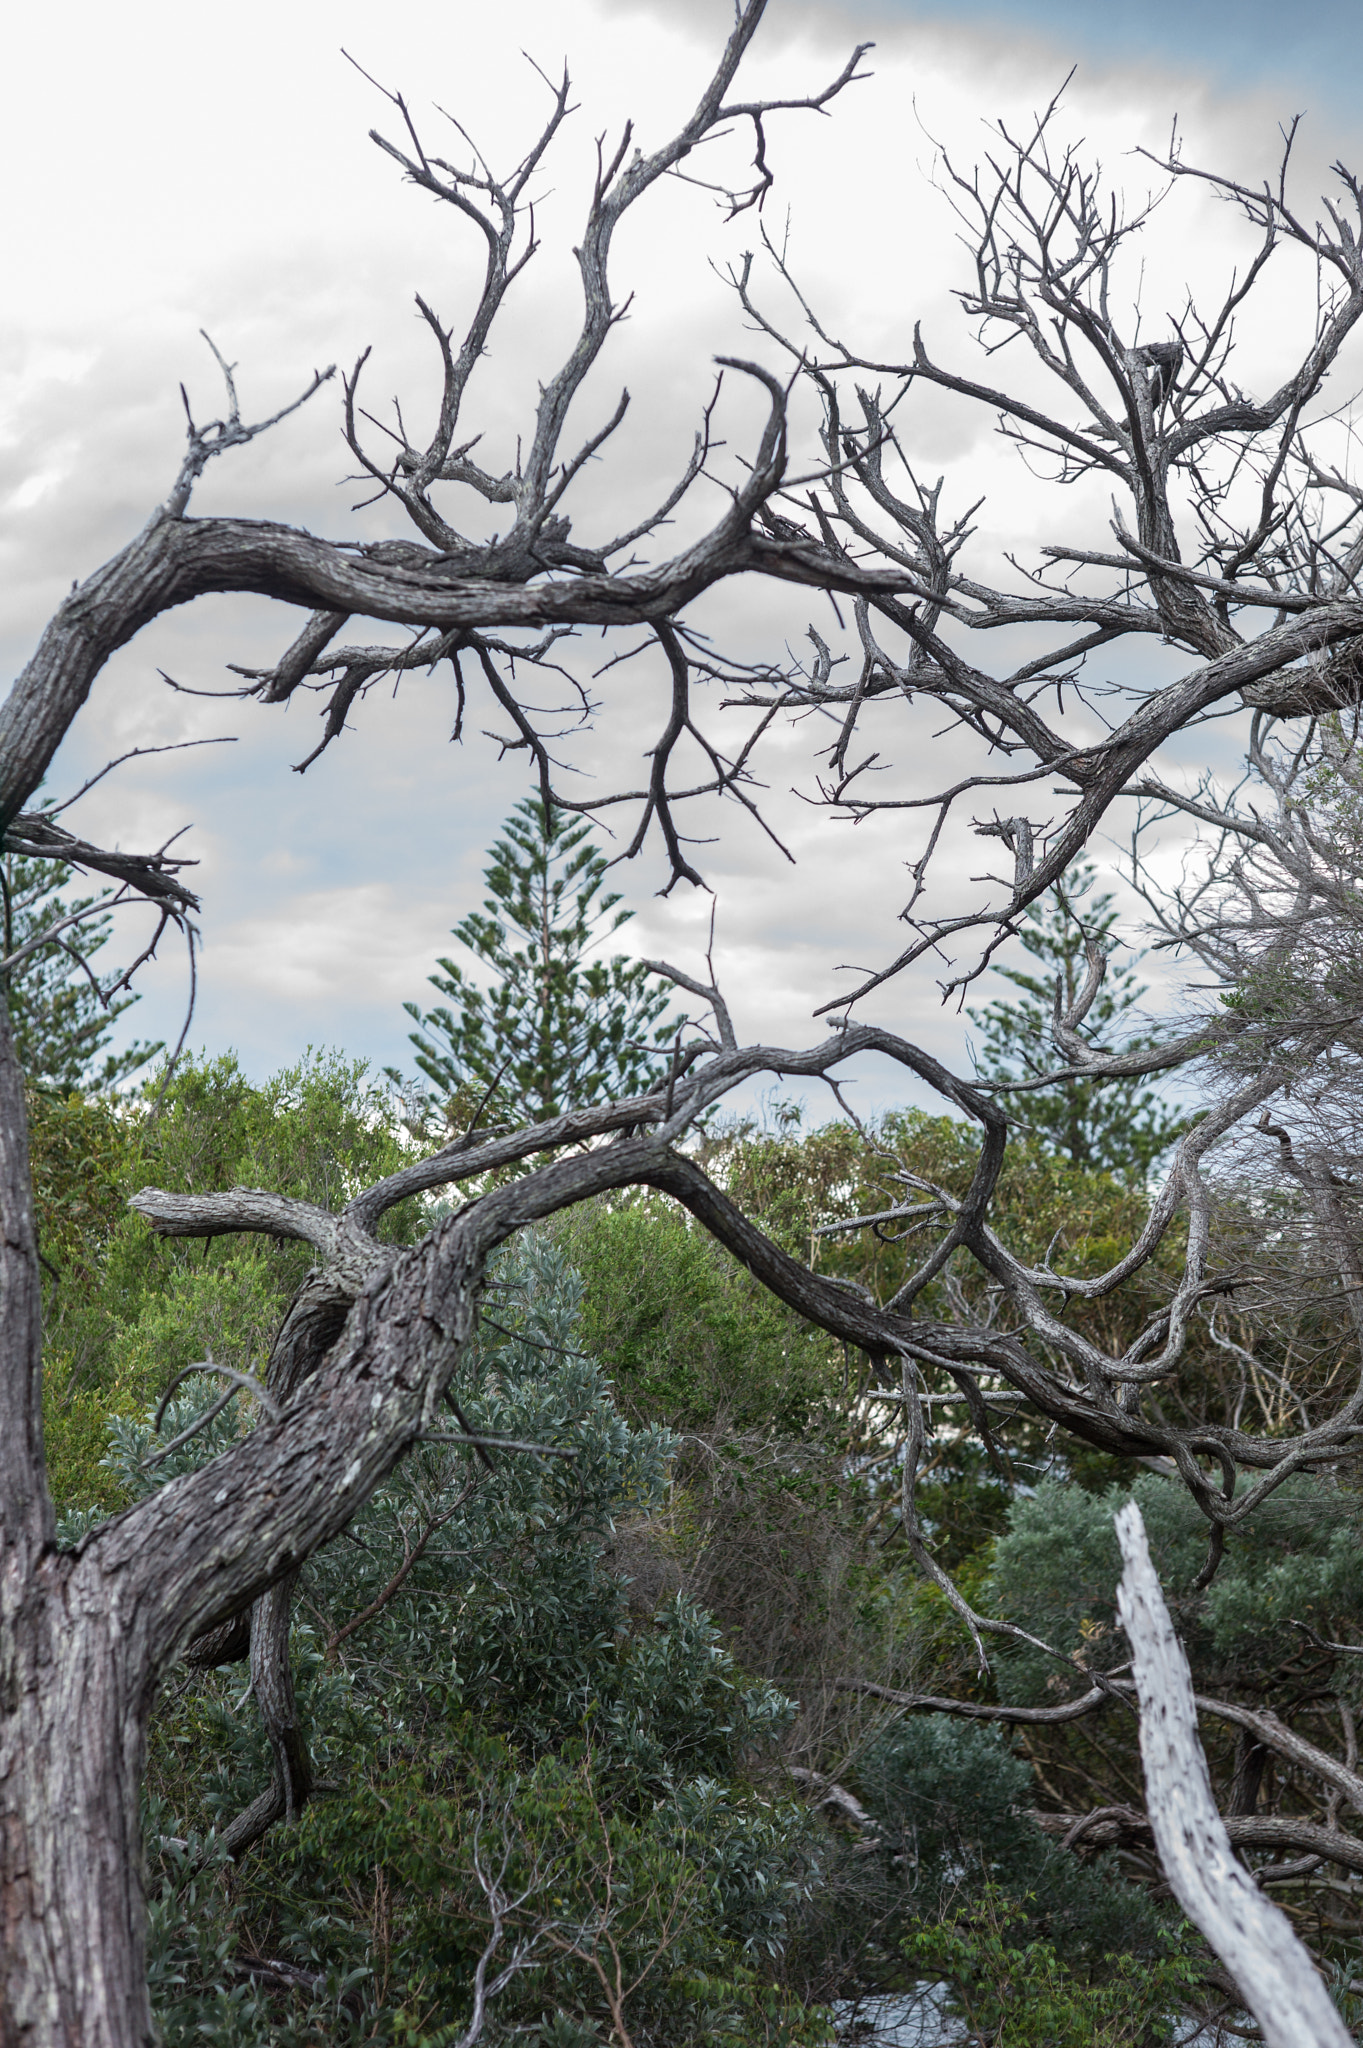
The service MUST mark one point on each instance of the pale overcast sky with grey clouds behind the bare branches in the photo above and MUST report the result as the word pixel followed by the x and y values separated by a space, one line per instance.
pixel 175 169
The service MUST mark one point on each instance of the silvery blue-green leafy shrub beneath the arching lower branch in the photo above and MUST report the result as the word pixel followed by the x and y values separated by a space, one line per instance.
pixel 513 1607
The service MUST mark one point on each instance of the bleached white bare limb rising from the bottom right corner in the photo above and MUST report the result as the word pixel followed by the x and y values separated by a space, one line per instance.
pixel 1272 1969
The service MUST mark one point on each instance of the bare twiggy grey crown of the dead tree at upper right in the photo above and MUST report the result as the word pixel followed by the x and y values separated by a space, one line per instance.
pixel 1153 423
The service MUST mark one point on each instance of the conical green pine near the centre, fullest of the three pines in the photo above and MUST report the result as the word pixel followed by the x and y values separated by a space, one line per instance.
pixel 554 1029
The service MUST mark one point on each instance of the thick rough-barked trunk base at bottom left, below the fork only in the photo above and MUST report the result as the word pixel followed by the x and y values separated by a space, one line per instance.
pixel 73 1951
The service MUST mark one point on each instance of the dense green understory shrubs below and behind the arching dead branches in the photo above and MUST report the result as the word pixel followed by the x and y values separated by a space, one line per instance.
pixel 617 1732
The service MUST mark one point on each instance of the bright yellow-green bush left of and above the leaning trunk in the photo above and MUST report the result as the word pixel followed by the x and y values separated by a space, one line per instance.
pixel 126 1310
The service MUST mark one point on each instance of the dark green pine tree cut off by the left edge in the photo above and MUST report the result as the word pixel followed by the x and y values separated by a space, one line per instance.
pixel 60 1015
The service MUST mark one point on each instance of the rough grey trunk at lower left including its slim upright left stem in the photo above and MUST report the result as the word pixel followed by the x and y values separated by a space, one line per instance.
pixel 73 1707
